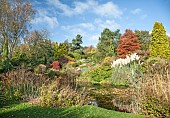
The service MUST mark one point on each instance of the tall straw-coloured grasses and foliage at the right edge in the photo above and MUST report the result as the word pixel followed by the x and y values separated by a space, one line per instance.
pixel 154 92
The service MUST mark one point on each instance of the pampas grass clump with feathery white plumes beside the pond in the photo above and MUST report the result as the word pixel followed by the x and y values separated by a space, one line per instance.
pixel 125 71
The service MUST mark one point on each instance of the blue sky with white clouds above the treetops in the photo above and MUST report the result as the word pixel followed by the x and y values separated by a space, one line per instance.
pixel 64 19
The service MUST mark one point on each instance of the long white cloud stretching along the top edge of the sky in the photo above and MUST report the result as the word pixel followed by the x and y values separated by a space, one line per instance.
pixel 92 6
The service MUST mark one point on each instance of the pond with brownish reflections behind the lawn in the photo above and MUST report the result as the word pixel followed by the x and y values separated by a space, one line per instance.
pixel 110 97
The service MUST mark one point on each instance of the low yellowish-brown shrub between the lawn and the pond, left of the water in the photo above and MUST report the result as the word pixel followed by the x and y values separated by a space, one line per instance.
pixel 54 96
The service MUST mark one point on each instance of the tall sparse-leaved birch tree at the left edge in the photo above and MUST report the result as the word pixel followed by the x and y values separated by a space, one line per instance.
pixel 15 16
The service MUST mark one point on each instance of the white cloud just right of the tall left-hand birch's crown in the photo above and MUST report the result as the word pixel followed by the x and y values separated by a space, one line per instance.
pixel 43 18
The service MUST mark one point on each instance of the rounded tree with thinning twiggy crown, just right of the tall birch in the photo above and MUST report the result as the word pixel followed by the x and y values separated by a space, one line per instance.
pixel 40 46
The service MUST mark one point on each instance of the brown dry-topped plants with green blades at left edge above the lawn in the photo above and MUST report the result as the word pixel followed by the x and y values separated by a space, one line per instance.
pixel 21 84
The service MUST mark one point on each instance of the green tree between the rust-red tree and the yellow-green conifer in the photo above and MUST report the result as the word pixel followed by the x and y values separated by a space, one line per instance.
pixel 144 39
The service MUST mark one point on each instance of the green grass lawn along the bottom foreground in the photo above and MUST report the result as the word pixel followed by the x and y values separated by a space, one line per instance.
pixel 25 110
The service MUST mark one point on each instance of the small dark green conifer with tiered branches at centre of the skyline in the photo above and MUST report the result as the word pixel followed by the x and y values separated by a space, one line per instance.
pixel 76 44
